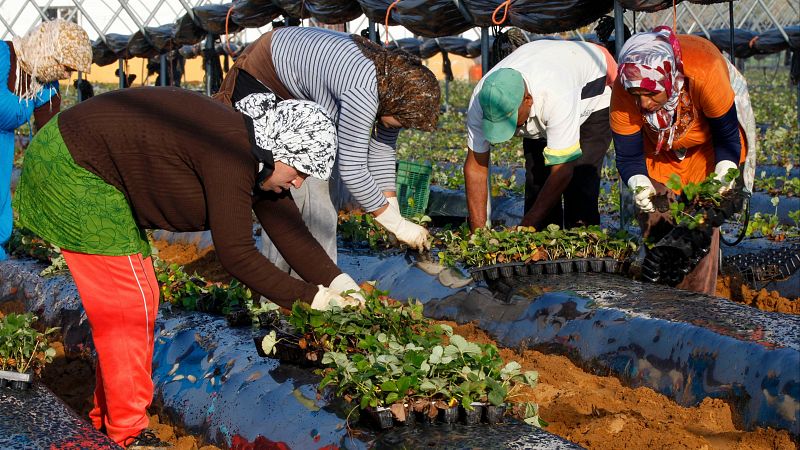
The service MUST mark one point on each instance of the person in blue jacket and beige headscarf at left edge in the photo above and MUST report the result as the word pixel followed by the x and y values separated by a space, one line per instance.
pixel 30 67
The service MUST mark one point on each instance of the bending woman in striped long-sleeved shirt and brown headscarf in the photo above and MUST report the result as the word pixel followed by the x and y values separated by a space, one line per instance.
pixel 370 92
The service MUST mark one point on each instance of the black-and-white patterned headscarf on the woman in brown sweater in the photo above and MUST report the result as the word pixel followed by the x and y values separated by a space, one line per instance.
pixel 298 133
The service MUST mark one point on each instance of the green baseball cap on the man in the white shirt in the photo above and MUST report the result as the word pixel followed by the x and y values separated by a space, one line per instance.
pixel 500 98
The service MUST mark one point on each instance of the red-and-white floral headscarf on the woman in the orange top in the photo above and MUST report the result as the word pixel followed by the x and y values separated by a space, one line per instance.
pixel 653 61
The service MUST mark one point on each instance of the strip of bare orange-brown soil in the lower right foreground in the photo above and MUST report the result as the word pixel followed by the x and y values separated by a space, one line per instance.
pixel 598 412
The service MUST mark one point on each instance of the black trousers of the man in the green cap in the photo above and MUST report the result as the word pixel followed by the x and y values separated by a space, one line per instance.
pixel 580 197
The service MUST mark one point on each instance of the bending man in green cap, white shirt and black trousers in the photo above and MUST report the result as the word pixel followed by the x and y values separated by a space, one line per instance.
pixel 555 95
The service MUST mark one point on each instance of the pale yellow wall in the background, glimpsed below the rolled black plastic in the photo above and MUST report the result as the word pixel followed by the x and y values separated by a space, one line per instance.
pixel 194 70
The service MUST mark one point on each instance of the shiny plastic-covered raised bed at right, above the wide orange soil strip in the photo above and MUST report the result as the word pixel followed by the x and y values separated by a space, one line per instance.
pixel 685 345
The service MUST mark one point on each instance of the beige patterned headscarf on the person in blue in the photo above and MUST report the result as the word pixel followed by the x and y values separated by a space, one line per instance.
pixel 46 50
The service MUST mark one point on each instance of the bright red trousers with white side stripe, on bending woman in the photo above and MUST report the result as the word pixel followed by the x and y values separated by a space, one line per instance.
pixel 120 296
